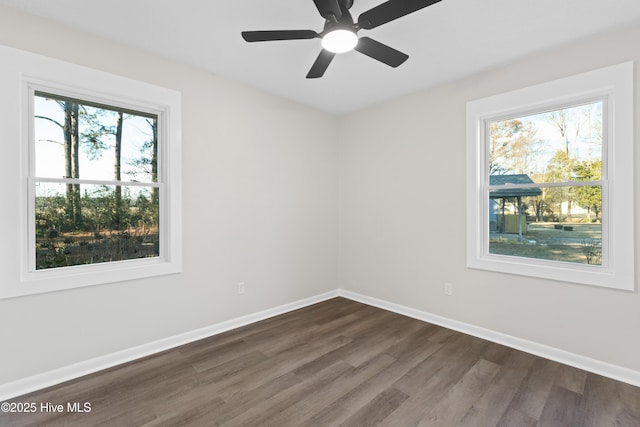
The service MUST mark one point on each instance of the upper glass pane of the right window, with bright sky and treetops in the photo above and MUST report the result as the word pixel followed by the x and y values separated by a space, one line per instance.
pixel 555 146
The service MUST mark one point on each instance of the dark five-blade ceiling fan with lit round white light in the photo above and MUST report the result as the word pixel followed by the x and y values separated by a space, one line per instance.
pixel 339 33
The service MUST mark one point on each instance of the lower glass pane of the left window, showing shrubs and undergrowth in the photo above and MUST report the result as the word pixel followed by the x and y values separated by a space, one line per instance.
pixel 90 224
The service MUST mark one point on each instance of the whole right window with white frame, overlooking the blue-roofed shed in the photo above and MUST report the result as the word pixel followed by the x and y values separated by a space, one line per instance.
pixel 550 184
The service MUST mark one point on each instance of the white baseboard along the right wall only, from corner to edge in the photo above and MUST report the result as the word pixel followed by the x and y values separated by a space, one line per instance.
pixel 581 362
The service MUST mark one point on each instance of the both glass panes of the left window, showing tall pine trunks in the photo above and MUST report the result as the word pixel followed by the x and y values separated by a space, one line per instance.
pixel 95 183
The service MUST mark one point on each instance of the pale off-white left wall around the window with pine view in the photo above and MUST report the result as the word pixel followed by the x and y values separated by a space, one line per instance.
pixel 260 206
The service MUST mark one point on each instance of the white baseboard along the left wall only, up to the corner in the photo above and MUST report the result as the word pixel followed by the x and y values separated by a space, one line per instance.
pixel 57 376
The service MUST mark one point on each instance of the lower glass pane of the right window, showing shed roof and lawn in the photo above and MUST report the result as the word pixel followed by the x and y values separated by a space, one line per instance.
pixel 559 224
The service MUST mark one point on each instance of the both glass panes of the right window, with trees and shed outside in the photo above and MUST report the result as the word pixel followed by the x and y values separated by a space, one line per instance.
pixel 545 173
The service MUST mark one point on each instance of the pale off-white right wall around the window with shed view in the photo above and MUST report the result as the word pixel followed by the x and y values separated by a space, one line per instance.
pixel 403 215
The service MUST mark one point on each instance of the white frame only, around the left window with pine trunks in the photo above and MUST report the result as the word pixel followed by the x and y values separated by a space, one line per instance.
pixel 26 73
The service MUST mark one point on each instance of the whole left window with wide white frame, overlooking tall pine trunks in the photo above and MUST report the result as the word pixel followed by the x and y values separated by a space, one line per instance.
pixel 99 176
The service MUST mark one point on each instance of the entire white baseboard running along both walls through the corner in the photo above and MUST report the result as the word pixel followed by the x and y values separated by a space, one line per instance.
pixel 57 376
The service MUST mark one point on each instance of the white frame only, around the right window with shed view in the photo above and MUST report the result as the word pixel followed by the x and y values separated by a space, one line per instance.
pixel 615 85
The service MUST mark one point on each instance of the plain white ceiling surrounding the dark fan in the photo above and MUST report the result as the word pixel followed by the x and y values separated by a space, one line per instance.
pixel 445 41
